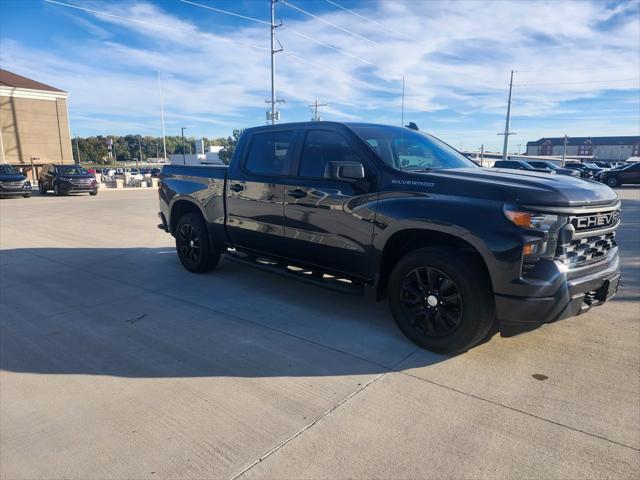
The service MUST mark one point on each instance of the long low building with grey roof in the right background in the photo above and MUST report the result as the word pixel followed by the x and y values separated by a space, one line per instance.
pixel 611 149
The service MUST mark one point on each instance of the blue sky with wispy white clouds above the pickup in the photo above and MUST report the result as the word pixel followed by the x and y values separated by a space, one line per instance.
pixel 577 63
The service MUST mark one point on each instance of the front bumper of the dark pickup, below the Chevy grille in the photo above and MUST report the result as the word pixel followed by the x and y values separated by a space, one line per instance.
pixel 575 294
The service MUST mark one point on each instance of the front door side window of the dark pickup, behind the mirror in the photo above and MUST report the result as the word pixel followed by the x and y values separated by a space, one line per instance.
pixel 322 147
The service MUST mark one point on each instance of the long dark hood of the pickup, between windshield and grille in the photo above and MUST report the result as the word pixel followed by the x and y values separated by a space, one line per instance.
pixel 521 187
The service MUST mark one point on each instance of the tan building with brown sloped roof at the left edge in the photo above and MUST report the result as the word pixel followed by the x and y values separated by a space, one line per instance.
pixel 34 123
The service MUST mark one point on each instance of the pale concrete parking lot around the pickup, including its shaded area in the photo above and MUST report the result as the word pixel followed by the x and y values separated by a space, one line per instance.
pixel 117 363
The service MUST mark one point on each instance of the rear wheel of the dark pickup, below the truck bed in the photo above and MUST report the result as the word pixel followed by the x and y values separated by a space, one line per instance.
pixel 193 246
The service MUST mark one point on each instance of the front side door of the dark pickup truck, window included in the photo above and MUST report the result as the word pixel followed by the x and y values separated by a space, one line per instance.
pixel 329 222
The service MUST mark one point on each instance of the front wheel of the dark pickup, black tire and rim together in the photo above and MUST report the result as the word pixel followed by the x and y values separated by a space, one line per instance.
pixel 441 299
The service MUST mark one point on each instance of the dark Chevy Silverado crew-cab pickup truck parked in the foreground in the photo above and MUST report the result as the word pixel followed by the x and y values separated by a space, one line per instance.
pixel 455 248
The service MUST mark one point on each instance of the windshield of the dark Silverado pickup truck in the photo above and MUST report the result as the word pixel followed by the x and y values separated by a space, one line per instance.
pixel 409 150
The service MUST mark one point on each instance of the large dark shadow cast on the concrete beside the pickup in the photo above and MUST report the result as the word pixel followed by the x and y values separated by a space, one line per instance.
pixel 136 313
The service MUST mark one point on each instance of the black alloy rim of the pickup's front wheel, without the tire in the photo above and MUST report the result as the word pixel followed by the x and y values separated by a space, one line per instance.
pixel 432 302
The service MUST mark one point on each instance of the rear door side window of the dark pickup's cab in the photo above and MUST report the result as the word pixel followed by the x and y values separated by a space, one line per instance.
pixel 269 153
